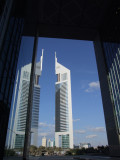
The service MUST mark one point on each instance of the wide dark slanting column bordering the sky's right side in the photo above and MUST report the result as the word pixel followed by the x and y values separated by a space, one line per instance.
pixel 112 134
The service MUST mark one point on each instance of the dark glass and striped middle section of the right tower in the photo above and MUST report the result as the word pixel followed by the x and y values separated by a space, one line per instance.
pixel 61 107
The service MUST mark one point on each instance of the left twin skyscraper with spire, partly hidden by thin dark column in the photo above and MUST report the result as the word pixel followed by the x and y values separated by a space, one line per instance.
pixel 17 140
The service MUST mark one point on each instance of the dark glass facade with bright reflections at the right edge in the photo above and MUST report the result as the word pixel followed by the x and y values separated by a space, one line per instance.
pixel 112 56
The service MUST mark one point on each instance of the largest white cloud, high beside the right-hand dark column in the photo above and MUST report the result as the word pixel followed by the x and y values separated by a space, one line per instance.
pixel 93 86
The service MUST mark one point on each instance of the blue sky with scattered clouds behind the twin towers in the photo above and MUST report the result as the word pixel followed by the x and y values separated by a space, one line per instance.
pixel 79 57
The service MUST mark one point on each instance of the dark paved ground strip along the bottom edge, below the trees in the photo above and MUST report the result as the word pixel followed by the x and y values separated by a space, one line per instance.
pixel 82 157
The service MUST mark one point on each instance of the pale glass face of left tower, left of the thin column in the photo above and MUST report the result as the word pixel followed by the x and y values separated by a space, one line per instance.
pixel 21 108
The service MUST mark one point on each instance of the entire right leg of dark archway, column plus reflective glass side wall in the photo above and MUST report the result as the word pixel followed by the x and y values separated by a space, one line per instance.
pixel 107 56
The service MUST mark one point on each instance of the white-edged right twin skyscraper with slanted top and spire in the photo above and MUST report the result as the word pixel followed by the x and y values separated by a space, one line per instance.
pixel 63 107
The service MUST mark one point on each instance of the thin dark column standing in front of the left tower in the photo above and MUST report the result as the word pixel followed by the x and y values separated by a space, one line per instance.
pixel 30 98
